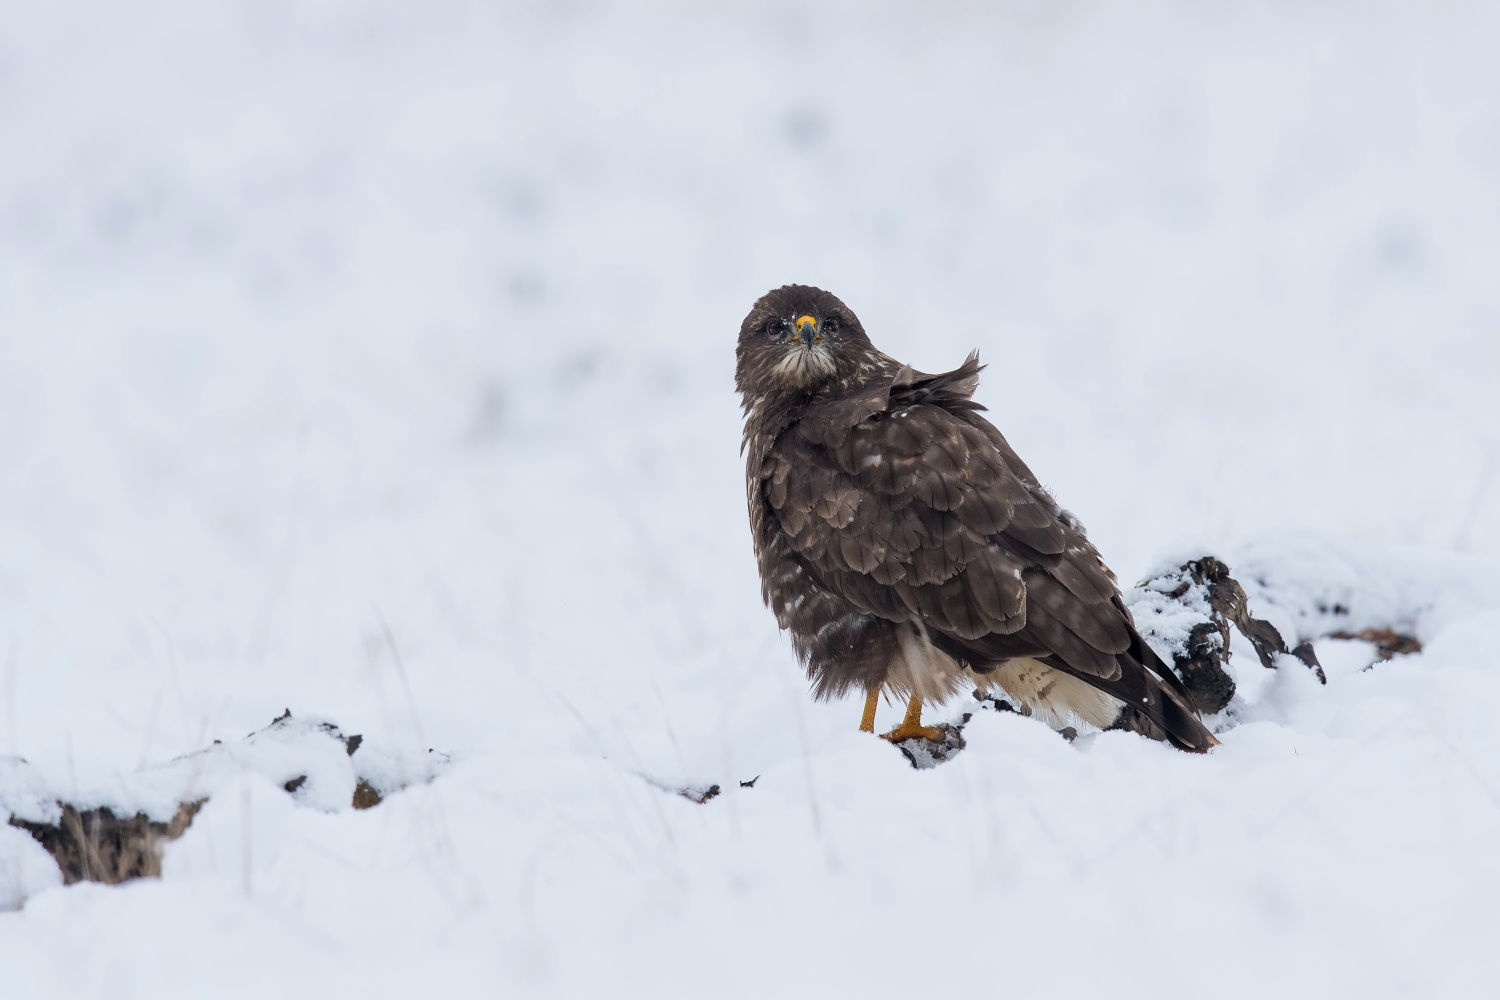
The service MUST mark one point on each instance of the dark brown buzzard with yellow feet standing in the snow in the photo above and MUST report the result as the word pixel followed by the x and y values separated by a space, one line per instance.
pixel 908 549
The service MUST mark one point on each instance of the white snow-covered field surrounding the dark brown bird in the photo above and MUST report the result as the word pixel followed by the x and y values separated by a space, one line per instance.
pixel 374 361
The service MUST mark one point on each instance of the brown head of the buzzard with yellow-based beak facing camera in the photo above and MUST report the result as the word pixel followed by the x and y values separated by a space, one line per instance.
pixel 797 338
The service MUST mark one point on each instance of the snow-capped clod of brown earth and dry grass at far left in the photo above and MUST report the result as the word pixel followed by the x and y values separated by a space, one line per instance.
pixel 116 834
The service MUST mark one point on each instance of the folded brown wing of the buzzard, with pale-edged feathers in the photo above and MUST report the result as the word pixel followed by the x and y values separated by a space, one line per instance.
pixel 910 506
